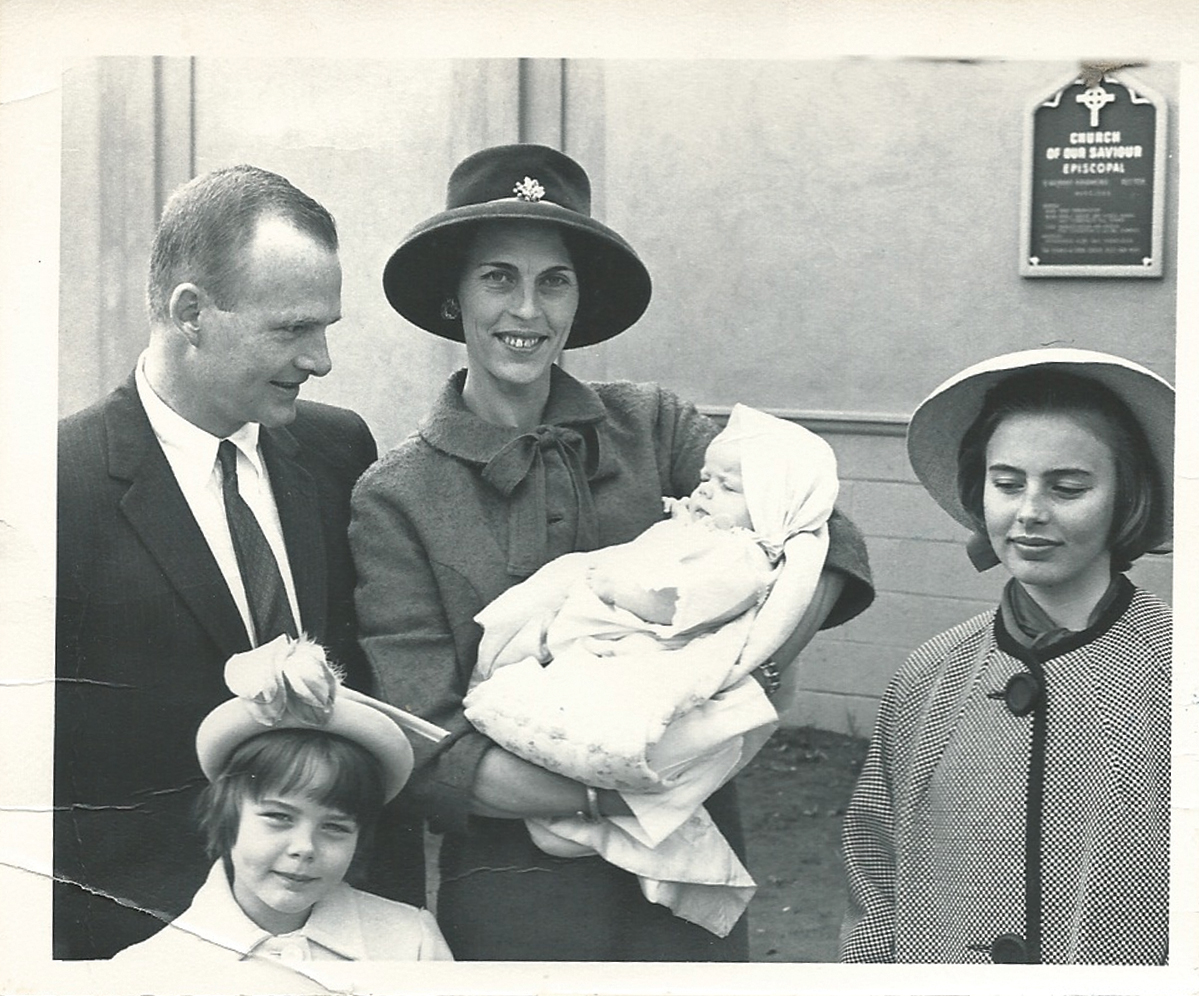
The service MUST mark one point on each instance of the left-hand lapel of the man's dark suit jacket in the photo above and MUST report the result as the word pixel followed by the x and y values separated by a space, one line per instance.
pixel 159 514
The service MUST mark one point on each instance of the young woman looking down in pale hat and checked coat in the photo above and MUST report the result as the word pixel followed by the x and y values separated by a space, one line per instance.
pixel 1015 802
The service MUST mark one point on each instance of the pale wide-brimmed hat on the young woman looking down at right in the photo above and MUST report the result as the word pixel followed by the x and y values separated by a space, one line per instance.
pixel 936 432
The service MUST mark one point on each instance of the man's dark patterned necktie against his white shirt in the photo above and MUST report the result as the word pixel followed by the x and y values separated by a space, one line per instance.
pixel 266 593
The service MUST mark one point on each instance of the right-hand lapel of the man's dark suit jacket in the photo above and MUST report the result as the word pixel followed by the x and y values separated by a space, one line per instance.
pixel 304 530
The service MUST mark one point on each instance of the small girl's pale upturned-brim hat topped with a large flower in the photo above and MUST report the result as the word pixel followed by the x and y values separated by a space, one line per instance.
pixel 287 685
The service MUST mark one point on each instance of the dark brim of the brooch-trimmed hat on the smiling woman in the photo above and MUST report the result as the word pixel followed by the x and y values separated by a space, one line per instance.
pixel 616 287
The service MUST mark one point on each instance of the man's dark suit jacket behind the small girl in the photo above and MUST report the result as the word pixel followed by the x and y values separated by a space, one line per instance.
pixel 146 624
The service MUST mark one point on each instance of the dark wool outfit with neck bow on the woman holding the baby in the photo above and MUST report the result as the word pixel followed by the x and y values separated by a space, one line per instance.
pixel 435 541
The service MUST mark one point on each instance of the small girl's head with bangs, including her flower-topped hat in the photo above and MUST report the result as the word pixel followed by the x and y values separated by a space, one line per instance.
pixel 298 777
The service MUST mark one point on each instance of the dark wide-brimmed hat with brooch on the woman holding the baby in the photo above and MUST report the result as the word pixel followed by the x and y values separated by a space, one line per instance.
pixel 521 184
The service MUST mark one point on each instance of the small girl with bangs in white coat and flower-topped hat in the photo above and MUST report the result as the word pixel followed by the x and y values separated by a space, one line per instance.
pixel 299 771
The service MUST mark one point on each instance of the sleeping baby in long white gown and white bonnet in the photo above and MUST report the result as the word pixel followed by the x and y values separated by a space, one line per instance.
pixel 629 668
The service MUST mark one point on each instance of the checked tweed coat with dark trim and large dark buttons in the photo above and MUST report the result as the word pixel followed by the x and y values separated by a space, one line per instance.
pixel 935 837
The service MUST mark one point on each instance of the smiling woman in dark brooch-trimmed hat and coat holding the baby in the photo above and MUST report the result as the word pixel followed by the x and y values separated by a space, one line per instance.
pixel 516 464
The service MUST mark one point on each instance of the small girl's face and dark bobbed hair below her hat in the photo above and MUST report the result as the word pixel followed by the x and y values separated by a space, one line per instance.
pixel 287 817
